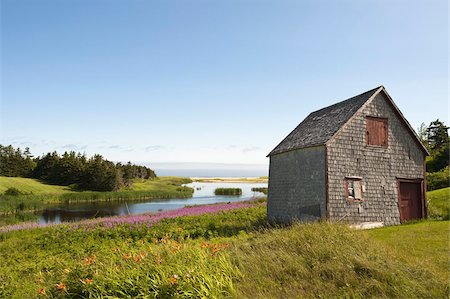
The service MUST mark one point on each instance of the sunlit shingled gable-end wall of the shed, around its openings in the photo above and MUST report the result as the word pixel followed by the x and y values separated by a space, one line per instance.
pixel 348 155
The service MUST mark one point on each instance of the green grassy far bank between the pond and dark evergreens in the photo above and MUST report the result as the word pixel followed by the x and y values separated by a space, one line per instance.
pixel 44 194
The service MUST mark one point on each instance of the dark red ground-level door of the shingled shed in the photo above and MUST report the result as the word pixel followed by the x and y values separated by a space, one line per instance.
pixel 410 201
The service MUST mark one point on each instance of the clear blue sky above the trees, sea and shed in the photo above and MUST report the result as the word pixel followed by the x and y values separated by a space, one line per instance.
pixel 207 81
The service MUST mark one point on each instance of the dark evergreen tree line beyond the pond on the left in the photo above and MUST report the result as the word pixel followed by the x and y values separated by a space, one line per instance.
pixel 71 169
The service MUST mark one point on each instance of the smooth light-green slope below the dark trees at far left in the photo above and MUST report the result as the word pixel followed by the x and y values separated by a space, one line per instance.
pixel 31 186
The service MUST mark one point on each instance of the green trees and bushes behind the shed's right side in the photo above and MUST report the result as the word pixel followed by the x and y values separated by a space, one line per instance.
pixel 436 140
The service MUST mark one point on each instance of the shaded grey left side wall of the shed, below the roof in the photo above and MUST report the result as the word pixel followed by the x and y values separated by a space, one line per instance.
pixel 297 185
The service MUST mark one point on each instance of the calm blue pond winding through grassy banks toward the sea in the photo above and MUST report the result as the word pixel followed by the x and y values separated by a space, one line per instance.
pixel 203 194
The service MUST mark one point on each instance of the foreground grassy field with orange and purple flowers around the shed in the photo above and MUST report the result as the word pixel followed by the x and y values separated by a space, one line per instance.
pixel 226 254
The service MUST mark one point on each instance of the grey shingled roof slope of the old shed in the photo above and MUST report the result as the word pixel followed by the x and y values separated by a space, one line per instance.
pixel 318 127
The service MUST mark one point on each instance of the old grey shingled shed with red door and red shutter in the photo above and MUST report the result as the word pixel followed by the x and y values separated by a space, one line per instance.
pixel 355 161
